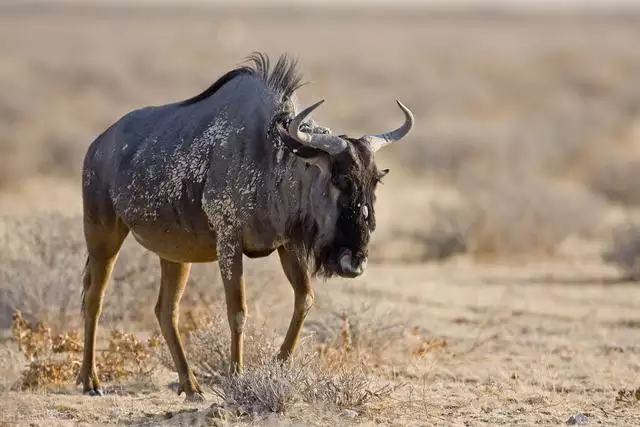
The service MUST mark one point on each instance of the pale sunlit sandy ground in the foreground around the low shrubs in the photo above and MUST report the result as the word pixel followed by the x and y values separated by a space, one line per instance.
pixel 528 345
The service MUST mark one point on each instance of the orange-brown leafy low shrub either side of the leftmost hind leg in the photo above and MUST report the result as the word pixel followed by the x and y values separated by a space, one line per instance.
pixel 56 359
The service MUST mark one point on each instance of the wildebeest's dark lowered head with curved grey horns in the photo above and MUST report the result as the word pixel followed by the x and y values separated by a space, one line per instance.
pixel 343 206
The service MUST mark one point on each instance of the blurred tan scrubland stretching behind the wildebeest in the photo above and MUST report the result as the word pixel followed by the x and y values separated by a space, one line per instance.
pixel 527 142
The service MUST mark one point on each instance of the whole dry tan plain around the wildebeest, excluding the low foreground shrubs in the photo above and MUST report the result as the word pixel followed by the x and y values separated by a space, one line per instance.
pixel 487 260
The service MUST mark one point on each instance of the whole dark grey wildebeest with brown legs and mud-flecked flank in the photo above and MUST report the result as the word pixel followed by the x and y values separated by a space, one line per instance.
pixel 233 171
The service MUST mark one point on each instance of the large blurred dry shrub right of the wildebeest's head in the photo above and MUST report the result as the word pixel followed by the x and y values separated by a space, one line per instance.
pixel 513 216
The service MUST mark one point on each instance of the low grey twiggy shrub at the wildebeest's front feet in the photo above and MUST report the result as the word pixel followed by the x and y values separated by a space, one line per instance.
pixel 312 377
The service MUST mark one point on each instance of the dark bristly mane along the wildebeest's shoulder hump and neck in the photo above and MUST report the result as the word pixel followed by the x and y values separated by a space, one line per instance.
pixel 283 79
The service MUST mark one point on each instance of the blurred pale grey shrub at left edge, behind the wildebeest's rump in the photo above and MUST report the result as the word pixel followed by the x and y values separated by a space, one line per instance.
pixel 40 269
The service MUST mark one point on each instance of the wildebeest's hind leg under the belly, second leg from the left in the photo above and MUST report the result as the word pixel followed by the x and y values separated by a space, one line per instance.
pixel 173 281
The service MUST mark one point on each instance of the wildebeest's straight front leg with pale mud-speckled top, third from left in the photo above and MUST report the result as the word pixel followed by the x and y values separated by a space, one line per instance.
pixel 230 261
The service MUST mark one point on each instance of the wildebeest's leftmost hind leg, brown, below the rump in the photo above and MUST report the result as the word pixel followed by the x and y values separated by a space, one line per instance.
pixel 103 245
